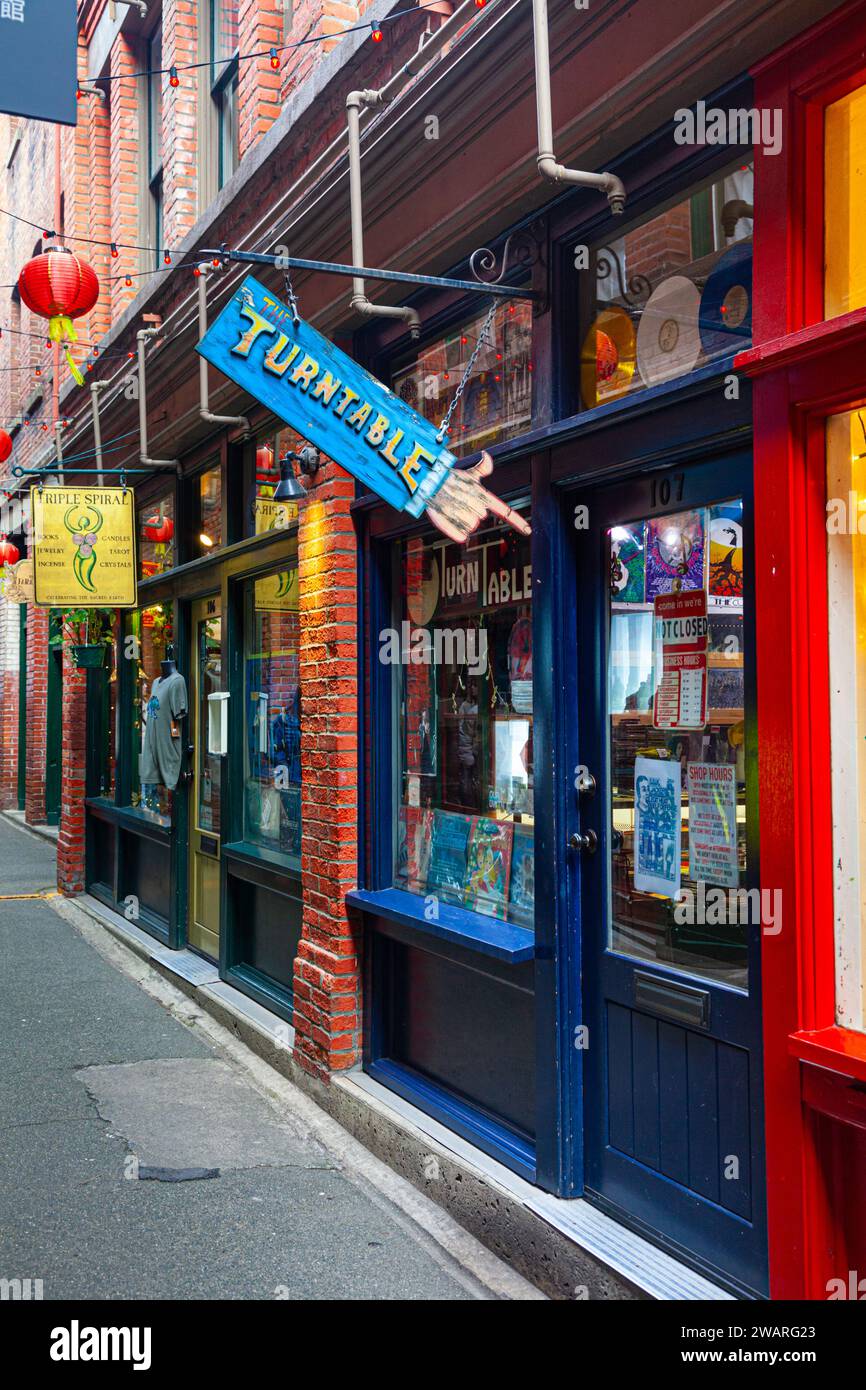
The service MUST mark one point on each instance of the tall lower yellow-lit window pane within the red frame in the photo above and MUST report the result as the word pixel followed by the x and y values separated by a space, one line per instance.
pixel 847 594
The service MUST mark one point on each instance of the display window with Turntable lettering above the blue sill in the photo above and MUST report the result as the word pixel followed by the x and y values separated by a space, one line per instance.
pixel 465 658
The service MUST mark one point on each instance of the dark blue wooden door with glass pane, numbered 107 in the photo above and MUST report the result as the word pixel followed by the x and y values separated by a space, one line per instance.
pixel 668 851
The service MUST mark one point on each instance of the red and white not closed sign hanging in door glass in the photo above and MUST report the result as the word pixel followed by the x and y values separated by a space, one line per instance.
pixel 682 635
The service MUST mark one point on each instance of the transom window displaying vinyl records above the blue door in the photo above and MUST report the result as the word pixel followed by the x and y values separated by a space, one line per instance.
pixel 669 295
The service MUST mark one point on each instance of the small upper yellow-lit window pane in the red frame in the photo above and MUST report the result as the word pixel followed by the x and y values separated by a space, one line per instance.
pixel 844 198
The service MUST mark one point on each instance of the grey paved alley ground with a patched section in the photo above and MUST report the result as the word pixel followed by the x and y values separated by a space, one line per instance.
pixel 111 1102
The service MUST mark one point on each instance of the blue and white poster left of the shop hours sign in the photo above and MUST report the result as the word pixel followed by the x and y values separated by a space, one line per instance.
pixel 657 826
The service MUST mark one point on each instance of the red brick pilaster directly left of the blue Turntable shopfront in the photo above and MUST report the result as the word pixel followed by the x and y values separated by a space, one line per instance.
pixel 327 967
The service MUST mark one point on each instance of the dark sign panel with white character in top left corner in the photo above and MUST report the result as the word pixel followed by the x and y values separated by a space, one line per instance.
pixel 38 59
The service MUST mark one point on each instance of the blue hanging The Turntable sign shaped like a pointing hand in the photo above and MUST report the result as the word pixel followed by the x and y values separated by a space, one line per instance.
pixel 347 414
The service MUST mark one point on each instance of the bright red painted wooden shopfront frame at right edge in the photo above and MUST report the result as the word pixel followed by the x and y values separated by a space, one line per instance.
pixel 803 372
